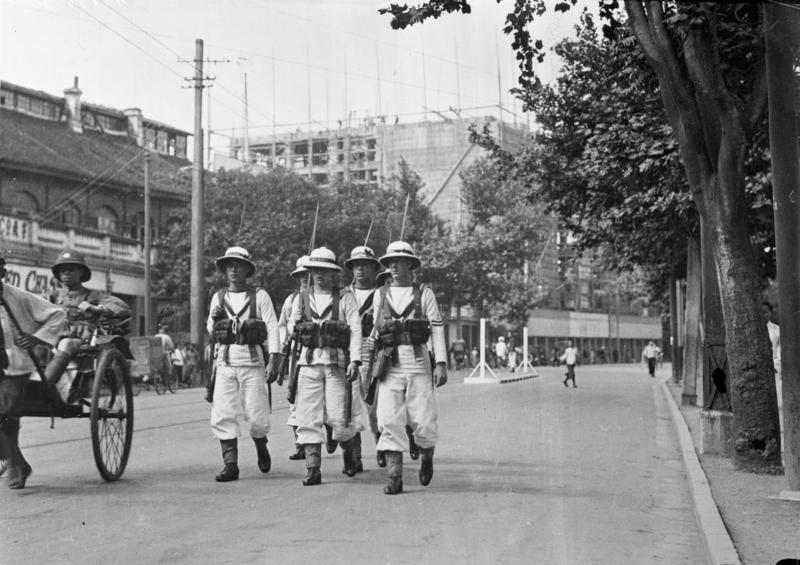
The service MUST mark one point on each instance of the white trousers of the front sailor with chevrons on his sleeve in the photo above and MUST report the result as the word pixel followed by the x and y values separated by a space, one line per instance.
pixel 406 398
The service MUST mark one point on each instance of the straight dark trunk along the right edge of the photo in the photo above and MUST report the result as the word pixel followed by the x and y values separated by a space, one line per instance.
pixel 781 30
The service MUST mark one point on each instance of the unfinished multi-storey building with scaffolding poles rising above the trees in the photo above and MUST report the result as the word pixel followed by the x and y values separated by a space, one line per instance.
pixel 370 152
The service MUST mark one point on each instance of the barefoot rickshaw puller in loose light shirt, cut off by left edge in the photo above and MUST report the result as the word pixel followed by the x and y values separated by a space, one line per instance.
pixel 41 323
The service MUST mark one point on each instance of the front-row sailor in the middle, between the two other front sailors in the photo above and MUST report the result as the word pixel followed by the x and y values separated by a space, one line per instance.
pixel 329 330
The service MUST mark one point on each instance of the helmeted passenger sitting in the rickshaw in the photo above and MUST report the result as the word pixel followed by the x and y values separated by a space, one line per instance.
pixel 84 308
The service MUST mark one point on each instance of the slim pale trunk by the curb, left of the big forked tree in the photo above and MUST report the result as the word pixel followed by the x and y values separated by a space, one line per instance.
pixel 693 350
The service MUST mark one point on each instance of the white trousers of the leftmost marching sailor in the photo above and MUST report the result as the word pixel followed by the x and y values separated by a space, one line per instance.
pixel 239 388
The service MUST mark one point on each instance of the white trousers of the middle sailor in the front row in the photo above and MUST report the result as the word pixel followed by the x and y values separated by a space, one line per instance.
pixel 320 400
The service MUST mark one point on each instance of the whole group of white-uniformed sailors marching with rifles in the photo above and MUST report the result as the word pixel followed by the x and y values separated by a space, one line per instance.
pixel 383 326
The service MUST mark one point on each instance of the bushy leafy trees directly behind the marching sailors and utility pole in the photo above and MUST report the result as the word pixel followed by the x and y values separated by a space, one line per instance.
pixel 272 216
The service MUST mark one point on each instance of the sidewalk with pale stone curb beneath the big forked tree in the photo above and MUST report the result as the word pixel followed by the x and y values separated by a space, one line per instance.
pixel 762 530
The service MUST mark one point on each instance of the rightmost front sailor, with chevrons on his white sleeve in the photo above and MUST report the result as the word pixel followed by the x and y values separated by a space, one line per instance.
pixel 406 317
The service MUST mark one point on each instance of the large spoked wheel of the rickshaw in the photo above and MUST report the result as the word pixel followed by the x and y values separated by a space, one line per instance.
pixel 111 414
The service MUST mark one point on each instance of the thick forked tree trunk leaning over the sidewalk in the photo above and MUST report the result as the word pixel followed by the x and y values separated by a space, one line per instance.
pixel 709 123
